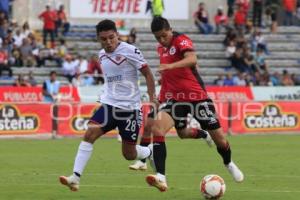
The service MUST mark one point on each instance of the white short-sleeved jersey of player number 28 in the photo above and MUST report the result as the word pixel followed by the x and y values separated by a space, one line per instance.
pixel 120 71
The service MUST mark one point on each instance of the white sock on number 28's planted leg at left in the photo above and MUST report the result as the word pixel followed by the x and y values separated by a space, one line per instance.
pixel 84 153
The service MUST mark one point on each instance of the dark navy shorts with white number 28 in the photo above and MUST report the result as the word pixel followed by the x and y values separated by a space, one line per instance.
pixel 127 121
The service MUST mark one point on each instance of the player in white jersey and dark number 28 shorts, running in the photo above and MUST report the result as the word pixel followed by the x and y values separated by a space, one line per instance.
pixel 120 103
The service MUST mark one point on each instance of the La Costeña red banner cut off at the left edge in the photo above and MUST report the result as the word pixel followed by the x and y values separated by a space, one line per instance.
pixel 18 119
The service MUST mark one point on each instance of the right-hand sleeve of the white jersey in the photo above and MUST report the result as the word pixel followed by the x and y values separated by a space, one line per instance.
pixel 136 58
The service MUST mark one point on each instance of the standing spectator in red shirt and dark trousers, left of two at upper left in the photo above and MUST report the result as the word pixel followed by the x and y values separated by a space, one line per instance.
pixel 49 18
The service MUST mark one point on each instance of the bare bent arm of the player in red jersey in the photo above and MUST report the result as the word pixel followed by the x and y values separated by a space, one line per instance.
pixel 189 60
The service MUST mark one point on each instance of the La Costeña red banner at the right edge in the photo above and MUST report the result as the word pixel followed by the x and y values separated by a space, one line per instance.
pixel 265 117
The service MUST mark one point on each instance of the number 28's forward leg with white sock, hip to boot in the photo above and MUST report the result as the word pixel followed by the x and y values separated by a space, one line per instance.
pixel 94 131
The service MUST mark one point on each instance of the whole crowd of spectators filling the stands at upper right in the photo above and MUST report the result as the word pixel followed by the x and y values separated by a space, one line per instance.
pixel 245 45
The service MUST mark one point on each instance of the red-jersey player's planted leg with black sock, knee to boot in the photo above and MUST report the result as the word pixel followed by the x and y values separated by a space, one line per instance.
pixel 162 124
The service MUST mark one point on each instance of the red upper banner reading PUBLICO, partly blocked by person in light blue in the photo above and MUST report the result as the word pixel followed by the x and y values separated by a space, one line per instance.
pixel 34 94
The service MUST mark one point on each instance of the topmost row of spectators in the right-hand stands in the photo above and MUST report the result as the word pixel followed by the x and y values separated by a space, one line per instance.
pixel 264 14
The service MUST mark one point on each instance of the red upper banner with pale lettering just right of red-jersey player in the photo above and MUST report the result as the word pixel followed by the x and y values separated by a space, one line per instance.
pixel 232 93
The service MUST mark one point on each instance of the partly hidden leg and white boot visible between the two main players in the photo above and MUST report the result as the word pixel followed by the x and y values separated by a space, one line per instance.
pixel 144 141
